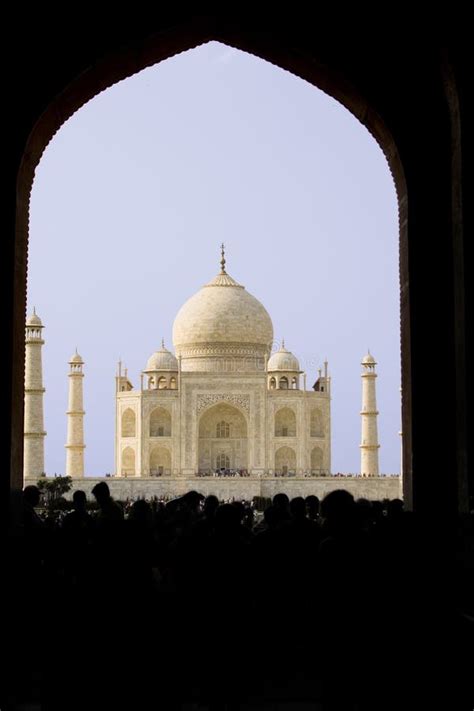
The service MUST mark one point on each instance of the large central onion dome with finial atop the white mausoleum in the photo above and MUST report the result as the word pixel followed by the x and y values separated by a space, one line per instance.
pixel 222 322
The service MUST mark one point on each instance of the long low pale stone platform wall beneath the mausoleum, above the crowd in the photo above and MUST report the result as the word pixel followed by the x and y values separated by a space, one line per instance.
pixel 243 488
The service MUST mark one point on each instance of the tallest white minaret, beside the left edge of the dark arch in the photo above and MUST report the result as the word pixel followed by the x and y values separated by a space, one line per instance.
pixel 34 434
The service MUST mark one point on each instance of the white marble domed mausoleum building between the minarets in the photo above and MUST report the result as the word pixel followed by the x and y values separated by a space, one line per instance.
pixel 222 402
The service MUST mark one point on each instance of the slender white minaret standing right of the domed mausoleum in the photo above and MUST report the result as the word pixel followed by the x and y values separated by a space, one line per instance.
pixel 369 447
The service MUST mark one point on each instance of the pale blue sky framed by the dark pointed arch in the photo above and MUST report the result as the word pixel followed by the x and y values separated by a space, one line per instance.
pixel 136 192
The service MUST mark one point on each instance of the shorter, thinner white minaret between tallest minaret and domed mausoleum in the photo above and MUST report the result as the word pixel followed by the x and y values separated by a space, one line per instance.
pixel 75 419
